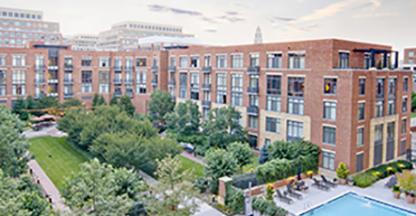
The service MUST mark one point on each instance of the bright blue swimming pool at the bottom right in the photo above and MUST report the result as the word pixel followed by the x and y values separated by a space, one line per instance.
pixel 353 204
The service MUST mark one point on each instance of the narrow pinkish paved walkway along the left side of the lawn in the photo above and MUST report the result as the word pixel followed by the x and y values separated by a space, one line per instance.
pixel 47 186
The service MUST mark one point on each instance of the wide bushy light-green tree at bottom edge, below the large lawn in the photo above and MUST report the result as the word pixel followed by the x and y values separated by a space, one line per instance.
pixel 100 189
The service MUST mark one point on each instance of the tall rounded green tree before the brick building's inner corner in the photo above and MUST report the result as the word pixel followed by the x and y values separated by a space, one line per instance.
pixel 160 104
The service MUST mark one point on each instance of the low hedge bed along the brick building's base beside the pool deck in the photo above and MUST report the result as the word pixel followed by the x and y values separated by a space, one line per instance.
pixel 374 174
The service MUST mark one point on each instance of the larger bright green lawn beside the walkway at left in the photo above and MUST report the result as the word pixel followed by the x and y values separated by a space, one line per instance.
pixel 57 158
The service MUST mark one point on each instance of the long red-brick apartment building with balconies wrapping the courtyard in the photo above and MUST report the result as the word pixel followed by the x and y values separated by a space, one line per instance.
pixel 345 96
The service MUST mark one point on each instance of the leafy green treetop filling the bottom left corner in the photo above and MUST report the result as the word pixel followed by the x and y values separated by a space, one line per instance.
pixel 18 196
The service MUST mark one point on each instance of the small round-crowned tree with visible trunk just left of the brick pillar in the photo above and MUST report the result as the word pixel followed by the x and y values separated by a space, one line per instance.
pixel 219 163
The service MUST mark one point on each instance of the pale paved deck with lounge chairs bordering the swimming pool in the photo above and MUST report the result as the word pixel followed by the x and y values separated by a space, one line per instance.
pixel 315 197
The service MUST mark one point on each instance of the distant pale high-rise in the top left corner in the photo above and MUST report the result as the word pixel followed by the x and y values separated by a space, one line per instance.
pixel 19 27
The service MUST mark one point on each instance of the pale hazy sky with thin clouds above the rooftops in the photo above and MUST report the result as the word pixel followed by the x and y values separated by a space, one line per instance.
pixel 234 22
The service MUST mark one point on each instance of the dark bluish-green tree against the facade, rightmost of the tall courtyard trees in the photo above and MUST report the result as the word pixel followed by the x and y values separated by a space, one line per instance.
pixel 223 127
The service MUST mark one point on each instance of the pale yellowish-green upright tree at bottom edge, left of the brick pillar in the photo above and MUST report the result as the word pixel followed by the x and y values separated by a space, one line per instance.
pixel 175 192
